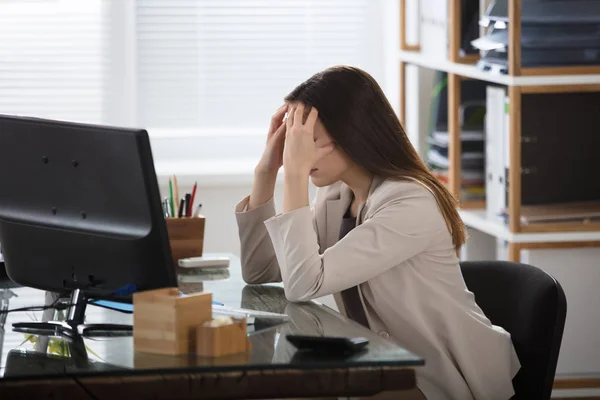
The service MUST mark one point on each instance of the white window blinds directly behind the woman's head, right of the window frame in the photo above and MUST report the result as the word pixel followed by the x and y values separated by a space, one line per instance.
pixel 227 64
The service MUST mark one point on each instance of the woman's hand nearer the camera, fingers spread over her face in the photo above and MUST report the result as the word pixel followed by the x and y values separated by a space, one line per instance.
pixel 300 152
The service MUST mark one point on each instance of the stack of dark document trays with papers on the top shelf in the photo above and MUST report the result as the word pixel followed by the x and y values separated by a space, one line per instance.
pixel 553 34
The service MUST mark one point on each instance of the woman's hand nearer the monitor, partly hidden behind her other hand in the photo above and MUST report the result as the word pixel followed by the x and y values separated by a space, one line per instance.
pixel 272 158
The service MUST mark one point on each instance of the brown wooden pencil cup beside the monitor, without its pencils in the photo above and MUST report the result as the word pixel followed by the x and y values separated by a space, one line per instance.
pixel 186 236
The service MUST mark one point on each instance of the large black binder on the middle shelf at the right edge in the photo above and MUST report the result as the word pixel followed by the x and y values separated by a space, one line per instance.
pixel 560 144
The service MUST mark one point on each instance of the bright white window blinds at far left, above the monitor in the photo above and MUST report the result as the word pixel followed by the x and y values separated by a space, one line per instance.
pixel 53 59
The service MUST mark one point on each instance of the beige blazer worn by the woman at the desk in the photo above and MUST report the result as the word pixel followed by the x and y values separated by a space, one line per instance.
pixel 401 257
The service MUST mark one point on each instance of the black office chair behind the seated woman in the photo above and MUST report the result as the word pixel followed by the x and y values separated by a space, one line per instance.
pixel 531 305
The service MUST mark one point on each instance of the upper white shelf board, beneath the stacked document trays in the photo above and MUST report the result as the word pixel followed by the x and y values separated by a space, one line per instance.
pixel 470 71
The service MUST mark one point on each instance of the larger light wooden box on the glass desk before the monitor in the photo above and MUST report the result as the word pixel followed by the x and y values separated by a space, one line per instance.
pixel 164 321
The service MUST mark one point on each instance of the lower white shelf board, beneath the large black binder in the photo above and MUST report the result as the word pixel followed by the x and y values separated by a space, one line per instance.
pixel 478 220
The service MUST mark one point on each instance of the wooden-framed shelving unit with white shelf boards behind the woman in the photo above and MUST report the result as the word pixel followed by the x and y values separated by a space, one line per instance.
pixel 519 82
